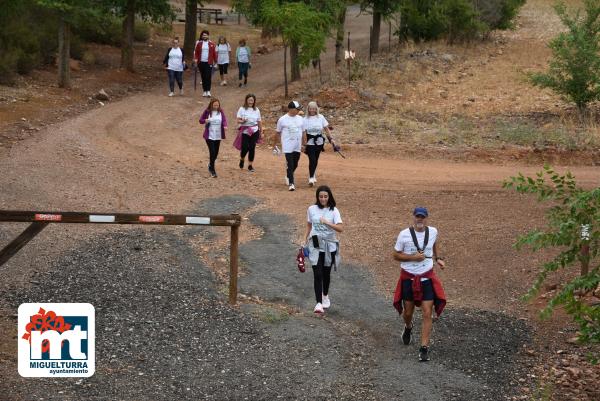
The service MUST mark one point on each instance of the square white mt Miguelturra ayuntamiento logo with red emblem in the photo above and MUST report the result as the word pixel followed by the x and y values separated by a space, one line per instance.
pixel 56 340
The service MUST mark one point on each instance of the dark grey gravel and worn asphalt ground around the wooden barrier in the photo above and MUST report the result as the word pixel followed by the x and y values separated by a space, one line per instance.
pixel 165 332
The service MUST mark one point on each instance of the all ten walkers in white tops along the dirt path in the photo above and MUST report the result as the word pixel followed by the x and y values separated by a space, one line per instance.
pixel 416 247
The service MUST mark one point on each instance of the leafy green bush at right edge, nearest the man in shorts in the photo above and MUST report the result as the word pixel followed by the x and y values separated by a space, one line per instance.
pixel 573 231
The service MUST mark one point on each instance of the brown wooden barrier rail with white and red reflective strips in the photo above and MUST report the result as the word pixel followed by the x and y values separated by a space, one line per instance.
pixel 39 221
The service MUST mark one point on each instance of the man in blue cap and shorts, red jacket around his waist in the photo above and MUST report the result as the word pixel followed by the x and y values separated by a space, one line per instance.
pixel 417 248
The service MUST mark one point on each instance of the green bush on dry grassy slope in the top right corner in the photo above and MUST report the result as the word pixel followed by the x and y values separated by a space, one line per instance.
pixel 574 71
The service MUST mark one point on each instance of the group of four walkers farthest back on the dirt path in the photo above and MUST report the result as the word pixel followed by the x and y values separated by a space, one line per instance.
pixel 208 57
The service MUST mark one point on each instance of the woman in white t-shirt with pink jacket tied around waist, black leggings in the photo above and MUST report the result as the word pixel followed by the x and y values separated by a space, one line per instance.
pixel 251 130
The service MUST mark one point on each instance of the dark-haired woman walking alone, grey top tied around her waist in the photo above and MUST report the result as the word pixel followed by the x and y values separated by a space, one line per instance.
pixel 323 224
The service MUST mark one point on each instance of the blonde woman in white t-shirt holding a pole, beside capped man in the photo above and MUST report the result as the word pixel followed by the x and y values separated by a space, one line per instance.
pixel 315 128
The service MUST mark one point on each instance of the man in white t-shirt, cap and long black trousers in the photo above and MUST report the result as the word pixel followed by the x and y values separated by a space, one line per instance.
pixel 289 128
